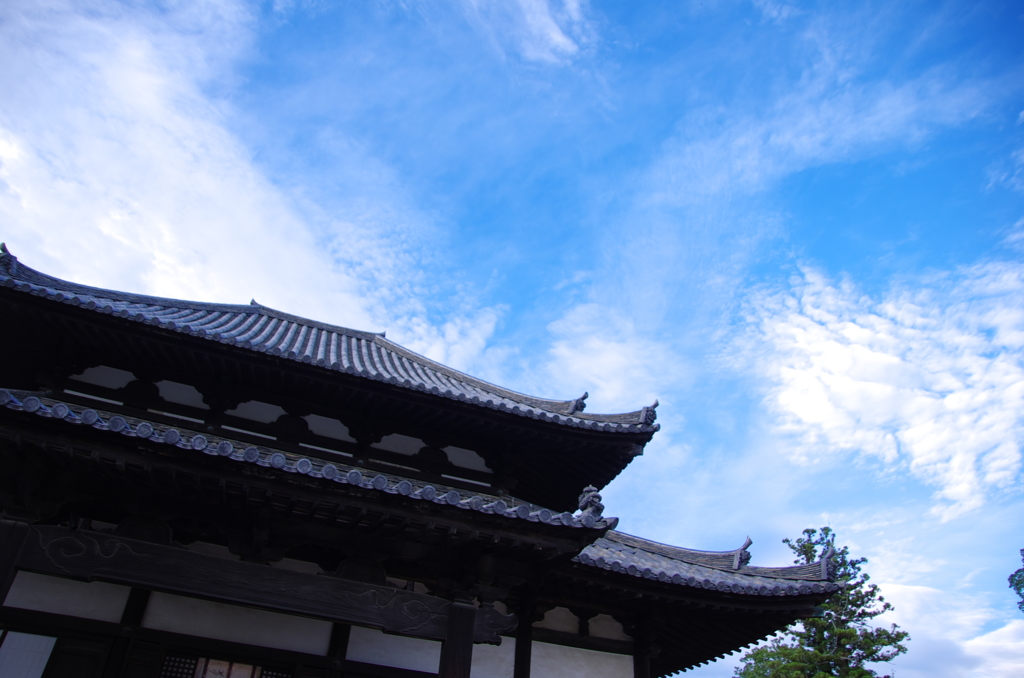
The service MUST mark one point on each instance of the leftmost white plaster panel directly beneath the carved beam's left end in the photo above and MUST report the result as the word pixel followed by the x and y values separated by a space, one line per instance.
pixel 92 601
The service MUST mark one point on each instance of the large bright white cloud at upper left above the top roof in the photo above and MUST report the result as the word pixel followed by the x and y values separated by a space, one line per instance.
pixel 119 168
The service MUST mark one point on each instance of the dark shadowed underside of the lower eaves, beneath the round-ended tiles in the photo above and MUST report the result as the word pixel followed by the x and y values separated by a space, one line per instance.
pixel 264 515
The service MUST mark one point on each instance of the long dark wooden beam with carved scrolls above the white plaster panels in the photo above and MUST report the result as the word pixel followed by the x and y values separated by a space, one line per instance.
pixel 93 557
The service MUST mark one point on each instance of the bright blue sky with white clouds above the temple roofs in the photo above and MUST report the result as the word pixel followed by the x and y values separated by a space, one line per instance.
pixel 800 227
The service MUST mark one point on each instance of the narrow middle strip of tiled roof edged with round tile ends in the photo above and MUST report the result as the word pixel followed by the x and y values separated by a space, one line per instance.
pixel 286 462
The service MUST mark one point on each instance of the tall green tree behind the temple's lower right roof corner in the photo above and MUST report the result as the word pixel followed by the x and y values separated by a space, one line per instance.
pixel 841 643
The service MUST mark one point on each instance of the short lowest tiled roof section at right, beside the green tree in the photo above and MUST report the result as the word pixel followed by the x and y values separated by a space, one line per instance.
pixel 703 570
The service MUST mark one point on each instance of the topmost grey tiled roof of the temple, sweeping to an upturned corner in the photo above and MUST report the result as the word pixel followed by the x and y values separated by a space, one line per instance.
pixel 365 355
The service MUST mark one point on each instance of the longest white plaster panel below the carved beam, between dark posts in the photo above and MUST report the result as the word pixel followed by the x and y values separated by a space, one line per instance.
pixel 237 624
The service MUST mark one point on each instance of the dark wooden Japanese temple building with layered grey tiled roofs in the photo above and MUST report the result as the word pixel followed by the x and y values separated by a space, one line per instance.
pixel 197 490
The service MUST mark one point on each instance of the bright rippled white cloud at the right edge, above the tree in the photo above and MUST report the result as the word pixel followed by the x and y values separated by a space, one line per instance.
pixel 931 379
